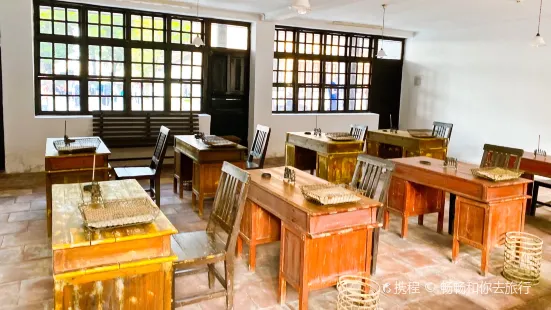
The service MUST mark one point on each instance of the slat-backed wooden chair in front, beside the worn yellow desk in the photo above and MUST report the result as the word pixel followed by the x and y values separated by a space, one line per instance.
pixel 200 250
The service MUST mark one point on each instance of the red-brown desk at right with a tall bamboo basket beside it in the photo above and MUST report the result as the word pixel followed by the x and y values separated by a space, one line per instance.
pixel 484 210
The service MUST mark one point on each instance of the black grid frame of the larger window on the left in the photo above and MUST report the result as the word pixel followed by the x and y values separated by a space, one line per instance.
pixel 84 41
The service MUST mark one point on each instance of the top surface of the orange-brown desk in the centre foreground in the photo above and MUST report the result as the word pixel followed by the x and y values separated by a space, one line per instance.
pixel 292 194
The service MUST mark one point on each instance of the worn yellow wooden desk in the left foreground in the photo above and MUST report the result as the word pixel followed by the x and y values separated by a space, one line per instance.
pixel 124 268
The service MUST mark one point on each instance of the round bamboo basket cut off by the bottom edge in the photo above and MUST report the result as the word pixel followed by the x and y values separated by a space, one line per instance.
pixel 357 292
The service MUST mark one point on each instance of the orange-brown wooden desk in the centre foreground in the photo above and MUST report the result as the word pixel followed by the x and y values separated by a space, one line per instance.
pixel 318 243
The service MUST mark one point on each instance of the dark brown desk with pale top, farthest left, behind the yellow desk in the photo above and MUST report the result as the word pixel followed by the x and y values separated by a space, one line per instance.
pixel 72 168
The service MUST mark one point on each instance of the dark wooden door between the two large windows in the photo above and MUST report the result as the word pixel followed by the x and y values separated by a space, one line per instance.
pixel 228 98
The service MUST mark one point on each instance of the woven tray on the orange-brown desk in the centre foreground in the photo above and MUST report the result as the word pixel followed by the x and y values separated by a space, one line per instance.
pixel 328 194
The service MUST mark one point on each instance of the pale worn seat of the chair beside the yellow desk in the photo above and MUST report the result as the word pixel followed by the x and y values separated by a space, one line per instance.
pixel 197 248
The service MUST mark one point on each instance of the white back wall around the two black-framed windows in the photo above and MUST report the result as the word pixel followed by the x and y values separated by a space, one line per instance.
pixel 25 134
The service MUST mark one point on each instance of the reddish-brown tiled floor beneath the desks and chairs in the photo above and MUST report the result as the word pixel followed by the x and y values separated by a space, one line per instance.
pixel 419 265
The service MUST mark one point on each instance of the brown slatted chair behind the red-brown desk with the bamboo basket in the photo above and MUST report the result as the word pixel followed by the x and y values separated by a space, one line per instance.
pixel 494 156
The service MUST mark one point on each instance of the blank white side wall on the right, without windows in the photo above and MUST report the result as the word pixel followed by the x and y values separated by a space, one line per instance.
pixel 488 81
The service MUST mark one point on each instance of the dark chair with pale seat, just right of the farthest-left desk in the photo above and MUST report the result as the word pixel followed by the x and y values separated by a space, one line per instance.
pixel 151 173
